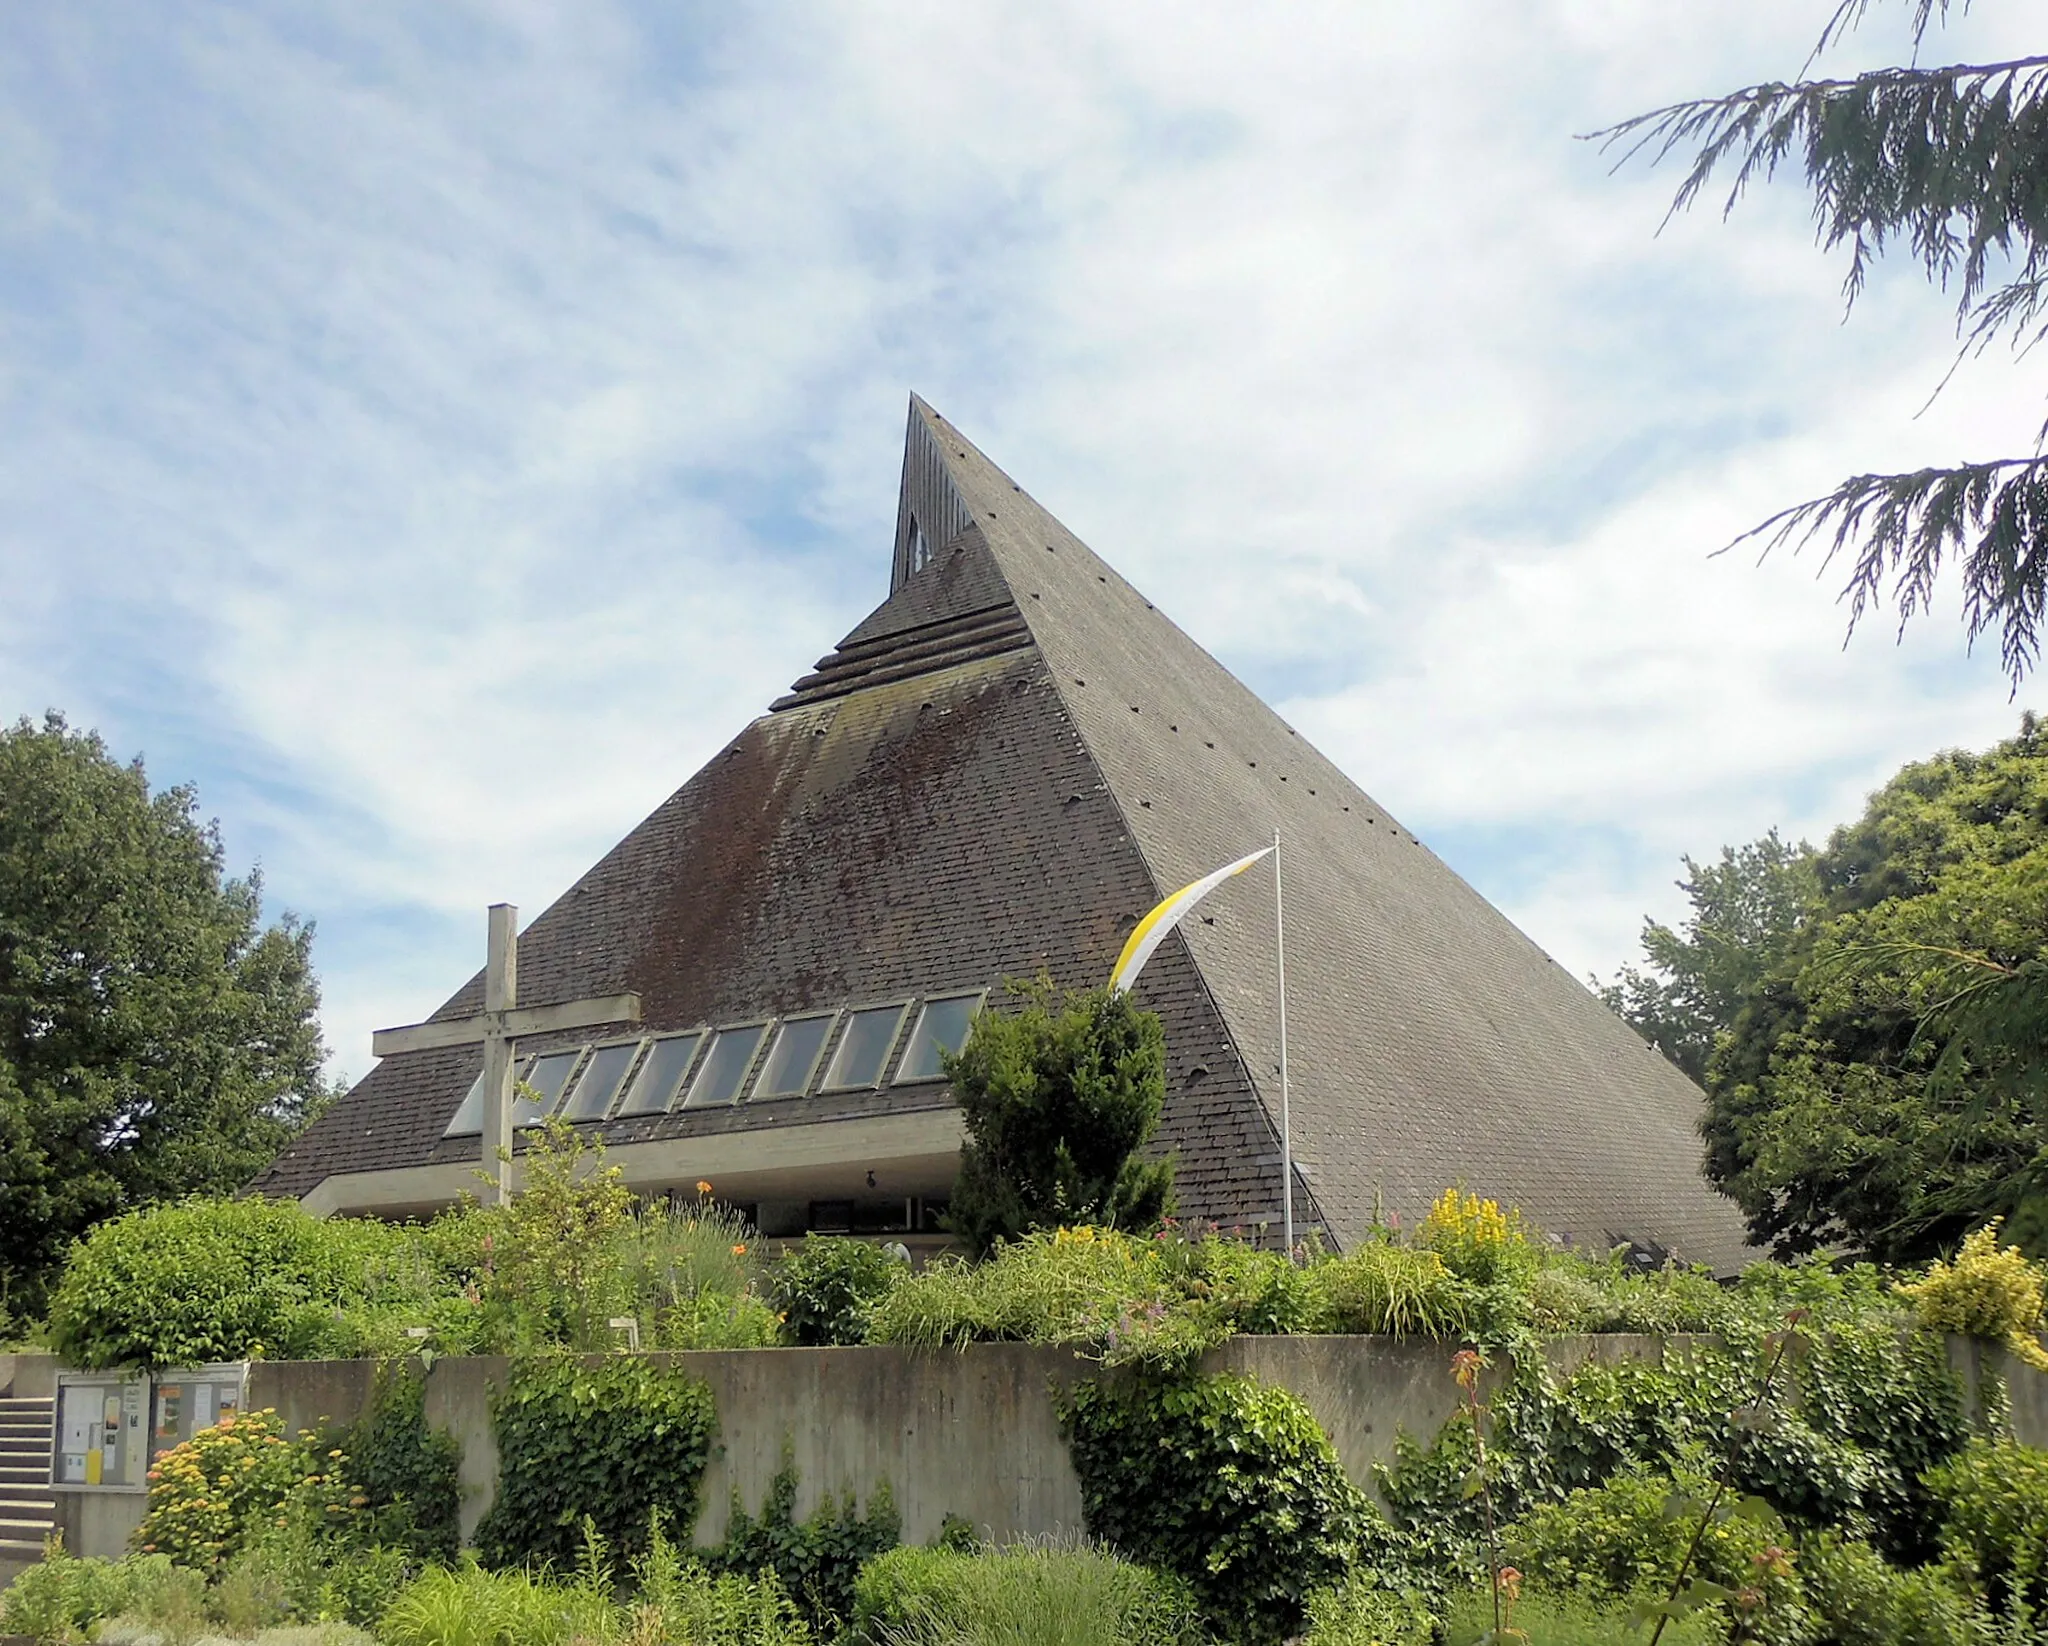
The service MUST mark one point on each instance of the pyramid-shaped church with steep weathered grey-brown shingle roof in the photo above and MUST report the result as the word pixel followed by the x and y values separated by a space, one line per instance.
pixel 994 775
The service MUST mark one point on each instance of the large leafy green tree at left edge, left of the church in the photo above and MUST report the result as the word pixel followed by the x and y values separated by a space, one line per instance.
pixel 155 1037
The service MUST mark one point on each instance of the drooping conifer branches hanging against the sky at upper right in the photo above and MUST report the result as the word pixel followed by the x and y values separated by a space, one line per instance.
pixel 1947 165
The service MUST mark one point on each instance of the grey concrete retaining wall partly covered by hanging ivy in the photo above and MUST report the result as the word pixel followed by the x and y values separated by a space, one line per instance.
pixel 968 1434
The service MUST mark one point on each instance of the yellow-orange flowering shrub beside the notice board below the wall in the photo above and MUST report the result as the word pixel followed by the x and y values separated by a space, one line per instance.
pixel 210 1493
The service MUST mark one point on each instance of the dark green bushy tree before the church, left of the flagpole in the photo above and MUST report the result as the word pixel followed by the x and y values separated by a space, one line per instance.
pixel 1060 1098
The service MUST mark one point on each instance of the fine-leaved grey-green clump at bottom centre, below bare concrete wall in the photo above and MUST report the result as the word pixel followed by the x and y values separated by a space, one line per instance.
pixel 1019 1596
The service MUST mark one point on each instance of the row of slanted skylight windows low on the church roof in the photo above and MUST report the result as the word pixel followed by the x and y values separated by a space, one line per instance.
pixel 716 1068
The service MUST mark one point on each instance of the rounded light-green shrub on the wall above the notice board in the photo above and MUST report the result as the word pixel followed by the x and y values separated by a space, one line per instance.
pixel 200 1281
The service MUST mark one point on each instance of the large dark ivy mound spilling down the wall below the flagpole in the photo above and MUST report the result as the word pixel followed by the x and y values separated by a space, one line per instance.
pixel 1222 1481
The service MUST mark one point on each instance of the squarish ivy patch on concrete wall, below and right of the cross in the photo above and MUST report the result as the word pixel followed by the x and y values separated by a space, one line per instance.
pixel 615 1444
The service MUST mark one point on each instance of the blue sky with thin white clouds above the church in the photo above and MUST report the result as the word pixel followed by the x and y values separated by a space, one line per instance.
pixel 435 431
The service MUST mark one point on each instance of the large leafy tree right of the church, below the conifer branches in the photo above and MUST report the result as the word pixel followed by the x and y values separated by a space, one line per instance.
pixel 1883 1076
